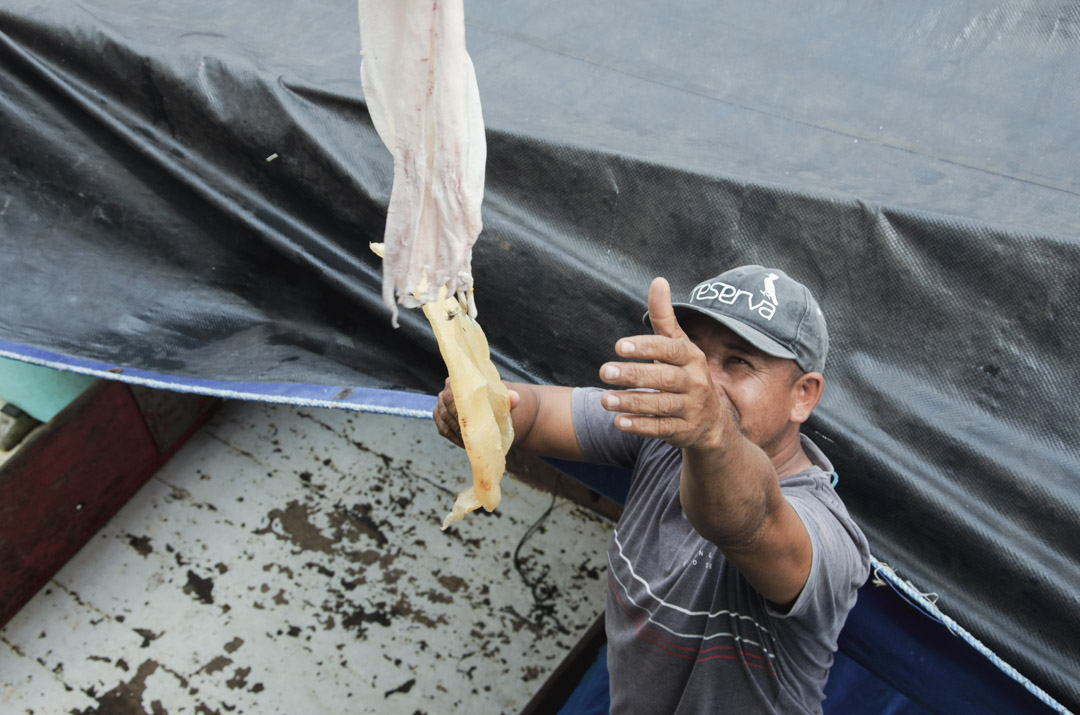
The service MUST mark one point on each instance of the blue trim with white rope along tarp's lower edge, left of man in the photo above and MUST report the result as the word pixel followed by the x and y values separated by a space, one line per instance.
pixel 362 399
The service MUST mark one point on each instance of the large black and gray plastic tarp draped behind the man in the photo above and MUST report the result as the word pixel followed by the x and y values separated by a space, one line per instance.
pixel 188 188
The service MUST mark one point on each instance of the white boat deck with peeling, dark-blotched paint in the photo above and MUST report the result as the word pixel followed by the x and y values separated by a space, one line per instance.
pixel 290 561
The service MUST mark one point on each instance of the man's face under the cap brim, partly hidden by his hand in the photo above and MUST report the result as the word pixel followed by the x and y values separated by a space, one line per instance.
pixel 760 389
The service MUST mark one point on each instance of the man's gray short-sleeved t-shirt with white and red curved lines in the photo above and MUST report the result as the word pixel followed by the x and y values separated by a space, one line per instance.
pixel 686 632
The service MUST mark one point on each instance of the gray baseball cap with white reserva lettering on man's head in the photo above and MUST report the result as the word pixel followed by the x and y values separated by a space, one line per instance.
pixel 768 309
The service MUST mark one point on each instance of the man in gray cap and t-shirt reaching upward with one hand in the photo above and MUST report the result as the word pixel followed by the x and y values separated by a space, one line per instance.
pixel 735 564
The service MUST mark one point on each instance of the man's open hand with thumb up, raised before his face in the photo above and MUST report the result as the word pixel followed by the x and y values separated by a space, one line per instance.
pixel 681 404
